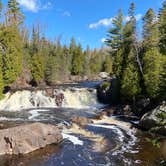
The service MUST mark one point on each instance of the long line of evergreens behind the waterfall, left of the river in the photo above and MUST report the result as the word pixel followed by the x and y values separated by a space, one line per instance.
pixel 23 54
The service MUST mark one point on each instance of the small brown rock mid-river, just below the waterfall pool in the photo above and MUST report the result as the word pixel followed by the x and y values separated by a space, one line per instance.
pixel 82 121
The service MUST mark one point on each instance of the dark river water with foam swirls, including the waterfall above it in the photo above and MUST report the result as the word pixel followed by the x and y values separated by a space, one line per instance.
pixel 107 142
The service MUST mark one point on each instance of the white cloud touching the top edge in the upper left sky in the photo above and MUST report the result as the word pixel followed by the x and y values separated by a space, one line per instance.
pixel 34 5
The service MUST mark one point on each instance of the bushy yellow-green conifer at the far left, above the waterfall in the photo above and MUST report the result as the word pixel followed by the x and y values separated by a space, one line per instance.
pixel 12 58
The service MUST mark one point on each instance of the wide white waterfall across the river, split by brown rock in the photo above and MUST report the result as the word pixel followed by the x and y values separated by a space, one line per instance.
pixel 72 98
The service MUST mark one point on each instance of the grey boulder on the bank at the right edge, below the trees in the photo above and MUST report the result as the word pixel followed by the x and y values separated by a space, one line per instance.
pixel 155 120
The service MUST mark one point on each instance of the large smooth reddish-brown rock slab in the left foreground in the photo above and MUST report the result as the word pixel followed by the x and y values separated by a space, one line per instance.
pixel 27 138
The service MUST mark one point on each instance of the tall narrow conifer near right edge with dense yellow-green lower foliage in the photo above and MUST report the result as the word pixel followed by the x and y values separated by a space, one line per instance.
pixel 152 59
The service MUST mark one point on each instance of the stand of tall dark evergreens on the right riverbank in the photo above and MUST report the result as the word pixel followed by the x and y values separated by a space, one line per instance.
pixel 139 64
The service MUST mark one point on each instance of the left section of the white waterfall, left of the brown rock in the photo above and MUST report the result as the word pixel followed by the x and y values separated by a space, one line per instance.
pixel 25 100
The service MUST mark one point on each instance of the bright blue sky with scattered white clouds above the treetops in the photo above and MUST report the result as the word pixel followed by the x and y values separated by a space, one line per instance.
pixel 86 20
